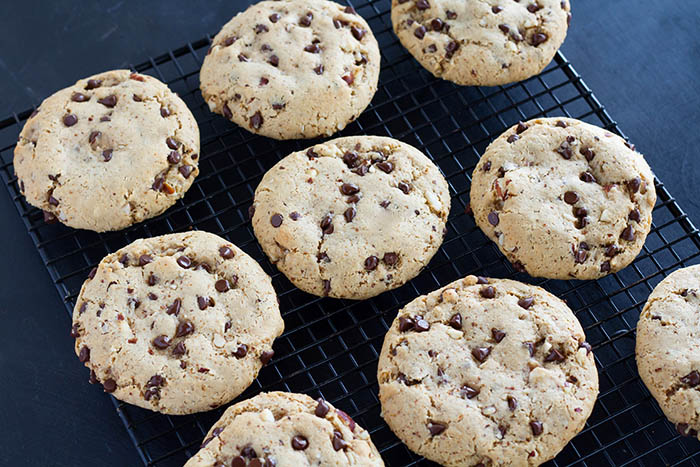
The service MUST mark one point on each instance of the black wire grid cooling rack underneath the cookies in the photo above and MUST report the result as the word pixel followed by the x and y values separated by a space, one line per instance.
pixel 330 347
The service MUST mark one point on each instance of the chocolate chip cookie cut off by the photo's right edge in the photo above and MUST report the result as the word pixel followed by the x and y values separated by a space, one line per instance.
pixel 668 353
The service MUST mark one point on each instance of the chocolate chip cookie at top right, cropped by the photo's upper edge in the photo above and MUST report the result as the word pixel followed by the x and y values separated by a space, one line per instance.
pixel 481 43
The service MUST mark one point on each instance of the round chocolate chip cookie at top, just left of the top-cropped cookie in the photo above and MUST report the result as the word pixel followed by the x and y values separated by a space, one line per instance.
pixel 292 68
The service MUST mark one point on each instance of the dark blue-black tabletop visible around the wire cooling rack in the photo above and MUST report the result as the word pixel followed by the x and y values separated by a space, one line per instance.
pixel 640 57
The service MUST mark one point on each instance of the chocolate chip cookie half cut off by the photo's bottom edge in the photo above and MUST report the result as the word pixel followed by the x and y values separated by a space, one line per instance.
pixel 284 429
